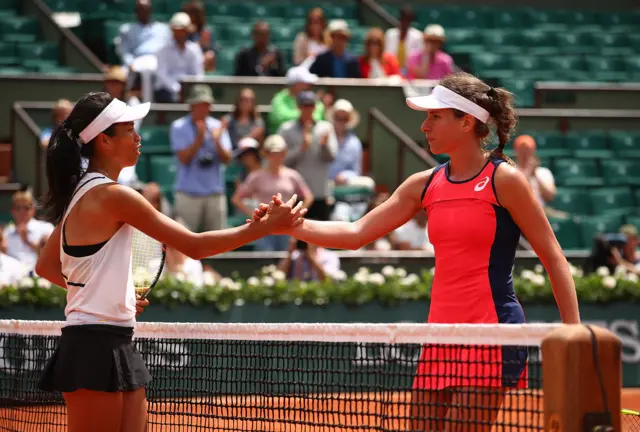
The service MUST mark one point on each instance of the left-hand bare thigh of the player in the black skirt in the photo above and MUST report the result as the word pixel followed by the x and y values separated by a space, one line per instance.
pixel 89 410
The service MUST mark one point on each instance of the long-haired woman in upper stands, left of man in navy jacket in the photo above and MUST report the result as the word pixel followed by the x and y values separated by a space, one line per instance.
pixel 313 40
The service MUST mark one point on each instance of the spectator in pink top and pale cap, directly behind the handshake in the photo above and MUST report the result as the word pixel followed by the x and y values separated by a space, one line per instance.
pixel 263 183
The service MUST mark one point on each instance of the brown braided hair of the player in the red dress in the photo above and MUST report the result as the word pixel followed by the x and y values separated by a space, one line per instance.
pixel 497 101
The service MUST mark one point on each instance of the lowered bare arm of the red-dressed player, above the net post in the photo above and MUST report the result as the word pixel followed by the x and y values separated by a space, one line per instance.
pixel 517 197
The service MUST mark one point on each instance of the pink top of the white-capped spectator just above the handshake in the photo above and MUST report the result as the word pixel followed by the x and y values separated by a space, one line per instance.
pixel 262 185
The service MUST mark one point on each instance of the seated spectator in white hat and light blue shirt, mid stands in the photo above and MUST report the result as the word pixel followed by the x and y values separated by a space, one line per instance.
pixel 346 169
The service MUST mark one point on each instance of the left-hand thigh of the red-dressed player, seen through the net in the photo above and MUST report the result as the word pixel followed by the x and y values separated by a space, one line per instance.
pixel 429 409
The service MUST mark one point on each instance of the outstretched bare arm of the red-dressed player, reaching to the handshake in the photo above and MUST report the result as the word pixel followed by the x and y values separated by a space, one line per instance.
pixel 396 211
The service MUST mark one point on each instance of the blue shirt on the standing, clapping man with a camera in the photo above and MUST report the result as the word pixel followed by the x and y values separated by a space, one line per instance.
pixel 193 179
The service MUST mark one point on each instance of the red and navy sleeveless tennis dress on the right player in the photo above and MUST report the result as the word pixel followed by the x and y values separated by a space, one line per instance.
pixel 475 241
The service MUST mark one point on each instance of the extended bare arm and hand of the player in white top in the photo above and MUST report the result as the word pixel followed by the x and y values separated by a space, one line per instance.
pixel 126 205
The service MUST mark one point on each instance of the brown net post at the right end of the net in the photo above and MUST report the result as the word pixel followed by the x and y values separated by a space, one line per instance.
pixel 573 388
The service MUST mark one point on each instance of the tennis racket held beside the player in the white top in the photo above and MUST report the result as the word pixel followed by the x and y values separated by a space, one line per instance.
pixel 147 262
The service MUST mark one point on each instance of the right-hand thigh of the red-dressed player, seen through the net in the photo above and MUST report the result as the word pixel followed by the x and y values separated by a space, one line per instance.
pixel 474 409
